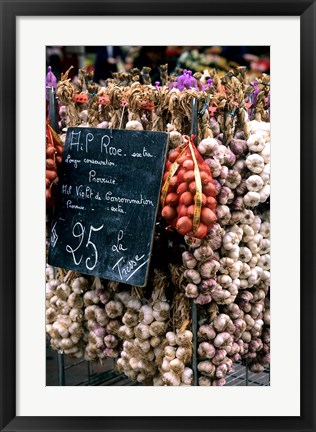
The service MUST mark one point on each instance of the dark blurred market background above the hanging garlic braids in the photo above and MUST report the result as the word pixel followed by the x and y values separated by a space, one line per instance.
pixel 107 59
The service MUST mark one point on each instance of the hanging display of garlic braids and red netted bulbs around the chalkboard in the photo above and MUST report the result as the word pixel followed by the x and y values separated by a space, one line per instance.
pixel 212 238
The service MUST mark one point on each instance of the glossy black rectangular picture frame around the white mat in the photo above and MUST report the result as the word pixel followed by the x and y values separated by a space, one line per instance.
pixel 9 10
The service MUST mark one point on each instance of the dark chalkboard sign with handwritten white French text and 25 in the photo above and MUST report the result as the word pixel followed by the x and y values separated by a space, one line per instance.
pixel 105 215
